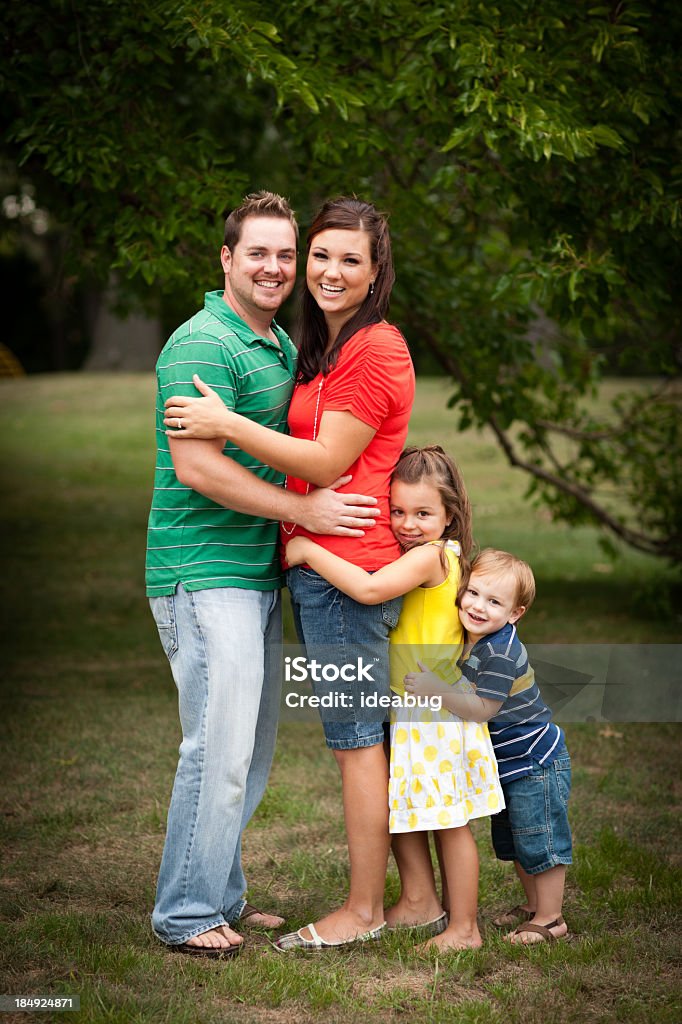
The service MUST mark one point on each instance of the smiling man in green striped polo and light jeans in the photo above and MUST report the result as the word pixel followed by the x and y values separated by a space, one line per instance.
pixel 214 578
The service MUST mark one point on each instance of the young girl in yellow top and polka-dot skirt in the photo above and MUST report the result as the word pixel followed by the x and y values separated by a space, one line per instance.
pixel 443 771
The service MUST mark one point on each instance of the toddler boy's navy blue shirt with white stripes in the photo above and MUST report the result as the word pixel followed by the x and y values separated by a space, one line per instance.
pixel 523 732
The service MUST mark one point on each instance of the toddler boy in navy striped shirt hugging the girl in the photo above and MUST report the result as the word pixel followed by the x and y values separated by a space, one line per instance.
pixel 533 760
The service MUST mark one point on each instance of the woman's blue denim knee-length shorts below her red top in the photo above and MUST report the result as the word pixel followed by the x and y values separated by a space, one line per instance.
pixel 350 642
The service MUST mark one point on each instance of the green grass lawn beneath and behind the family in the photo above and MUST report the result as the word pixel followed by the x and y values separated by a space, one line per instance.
pixel 91 739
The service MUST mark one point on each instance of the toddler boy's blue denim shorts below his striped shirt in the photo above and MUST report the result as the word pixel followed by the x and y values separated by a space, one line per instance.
pixel 534 828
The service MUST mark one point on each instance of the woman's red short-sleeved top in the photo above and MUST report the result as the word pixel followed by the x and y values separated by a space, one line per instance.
pixel 374 380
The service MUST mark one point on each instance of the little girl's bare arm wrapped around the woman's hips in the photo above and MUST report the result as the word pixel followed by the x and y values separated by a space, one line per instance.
pixel 418 567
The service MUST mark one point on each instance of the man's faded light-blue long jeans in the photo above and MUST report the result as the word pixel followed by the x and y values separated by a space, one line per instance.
pixel 225 648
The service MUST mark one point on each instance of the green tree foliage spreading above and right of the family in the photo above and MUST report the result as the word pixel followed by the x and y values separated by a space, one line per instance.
pixel 530 155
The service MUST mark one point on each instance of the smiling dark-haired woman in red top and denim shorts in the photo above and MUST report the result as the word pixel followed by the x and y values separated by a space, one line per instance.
pixel 349 415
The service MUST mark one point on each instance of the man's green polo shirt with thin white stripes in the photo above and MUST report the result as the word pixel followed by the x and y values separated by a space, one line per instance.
pixel 191 539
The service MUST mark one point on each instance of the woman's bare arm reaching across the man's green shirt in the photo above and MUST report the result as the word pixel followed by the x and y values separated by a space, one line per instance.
pixel 342 437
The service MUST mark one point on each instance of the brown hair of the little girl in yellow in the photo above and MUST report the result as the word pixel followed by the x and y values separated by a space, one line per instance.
pixel 433 464
